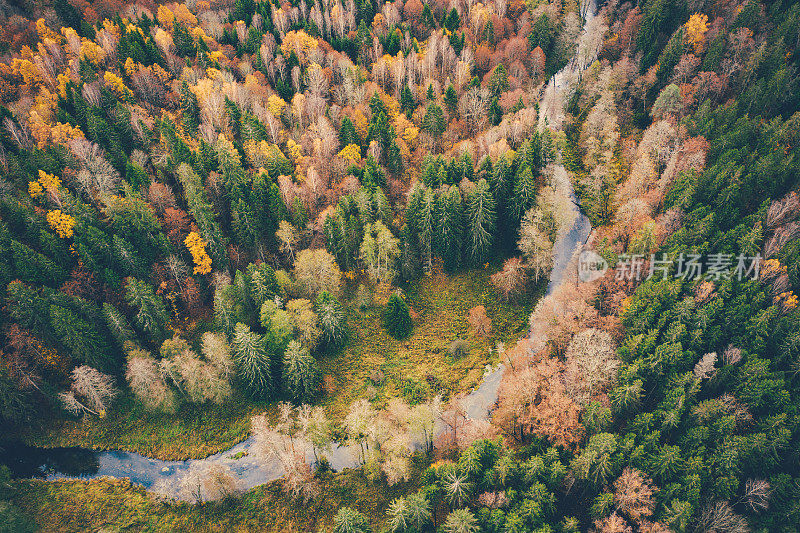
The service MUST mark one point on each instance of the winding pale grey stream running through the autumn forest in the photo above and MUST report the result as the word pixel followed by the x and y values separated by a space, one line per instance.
pixel 164 477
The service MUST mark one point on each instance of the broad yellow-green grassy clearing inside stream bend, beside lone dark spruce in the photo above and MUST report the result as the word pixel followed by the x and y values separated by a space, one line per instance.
pixel 420 366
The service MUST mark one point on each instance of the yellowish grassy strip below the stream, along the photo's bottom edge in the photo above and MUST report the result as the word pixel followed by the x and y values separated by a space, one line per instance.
pixel 116 505
